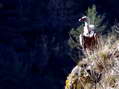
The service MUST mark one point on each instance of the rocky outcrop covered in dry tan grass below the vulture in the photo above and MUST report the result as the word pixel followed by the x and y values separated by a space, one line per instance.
pixel 99 70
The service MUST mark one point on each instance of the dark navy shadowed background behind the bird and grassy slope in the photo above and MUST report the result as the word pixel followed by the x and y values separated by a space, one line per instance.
pixel 34 51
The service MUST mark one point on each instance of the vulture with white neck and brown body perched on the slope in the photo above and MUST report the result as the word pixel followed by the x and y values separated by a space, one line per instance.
pixel 88 39
